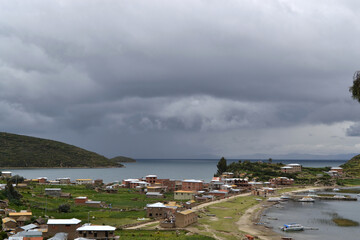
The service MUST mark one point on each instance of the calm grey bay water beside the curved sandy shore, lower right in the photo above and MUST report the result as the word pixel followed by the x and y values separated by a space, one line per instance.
pixel 318 215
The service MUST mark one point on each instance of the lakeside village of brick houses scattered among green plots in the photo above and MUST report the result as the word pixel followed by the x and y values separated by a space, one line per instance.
pixel 74 209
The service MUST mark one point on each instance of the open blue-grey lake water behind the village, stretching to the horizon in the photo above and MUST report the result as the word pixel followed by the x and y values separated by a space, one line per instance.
pixel 164 168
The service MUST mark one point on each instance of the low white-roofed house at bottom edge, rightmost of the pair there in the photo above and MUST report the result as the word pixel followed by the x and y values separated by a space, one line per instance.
pixel 98 232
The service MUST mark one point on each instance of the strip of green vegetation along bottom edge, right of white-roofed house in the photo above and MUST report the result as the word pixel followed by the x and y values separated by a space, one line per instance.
pixel 159 235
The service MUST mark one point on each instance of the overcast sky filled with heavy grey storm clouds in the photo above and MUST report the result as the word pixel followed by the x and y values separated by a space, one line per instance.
pixel 183 78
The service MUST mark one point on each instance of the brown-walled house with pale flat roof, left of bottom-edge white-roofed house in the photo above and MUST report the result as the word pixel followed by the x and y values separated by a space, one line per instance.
pixel 68 226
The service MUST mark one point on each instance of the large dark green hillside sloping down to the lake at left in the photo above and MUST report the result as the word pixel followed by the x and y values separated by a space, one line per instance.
pixel 24 151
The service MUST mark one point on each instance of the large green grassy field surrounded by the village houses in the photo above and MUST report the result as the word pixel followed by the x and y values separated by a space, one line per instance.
pixel 127 205
